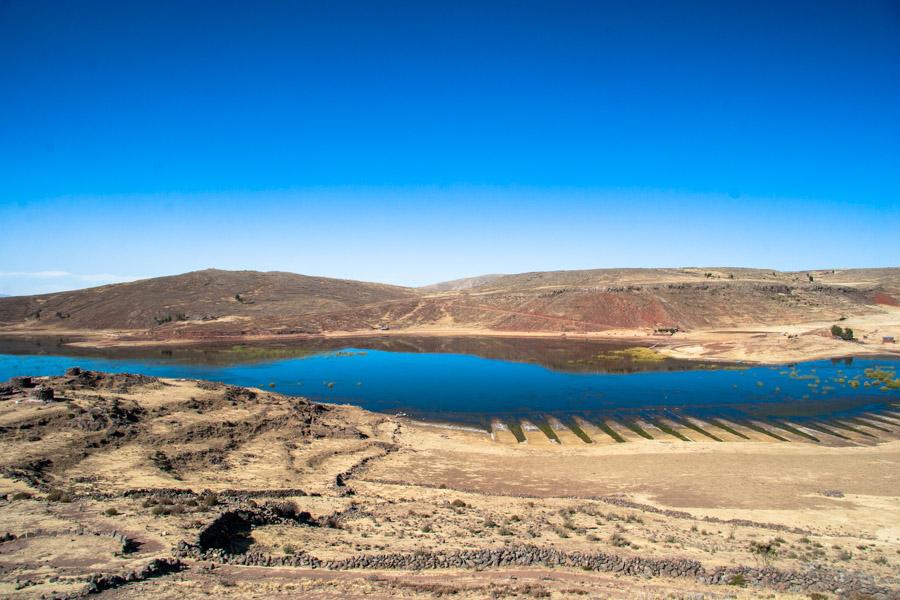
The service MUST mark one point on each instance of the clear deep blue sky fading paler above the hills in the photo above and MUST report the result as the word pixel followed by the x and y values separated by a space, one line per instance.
pixel 413 142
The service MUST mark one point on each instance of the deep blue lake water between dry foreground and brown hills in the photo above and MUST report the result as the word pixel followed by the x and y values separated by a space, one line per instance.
pixel 472 389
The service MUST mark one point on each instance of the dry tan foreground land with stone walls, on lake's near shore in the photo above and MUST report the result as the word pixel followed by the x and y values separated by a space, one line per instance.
pixel 127 486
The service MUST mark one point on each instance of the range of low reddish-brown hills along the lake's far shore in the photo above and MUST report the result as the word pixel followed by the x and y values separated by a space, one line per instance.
pixel 216 303
